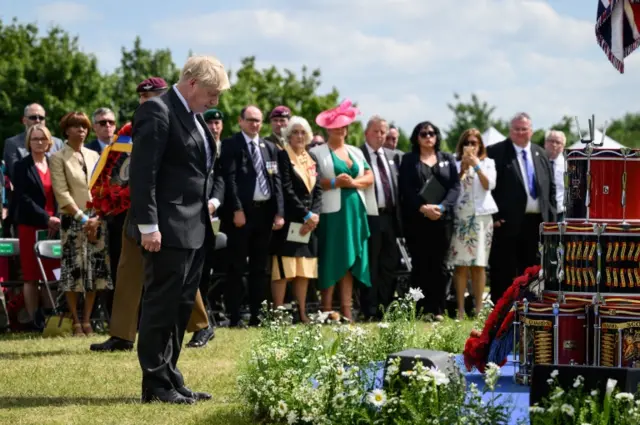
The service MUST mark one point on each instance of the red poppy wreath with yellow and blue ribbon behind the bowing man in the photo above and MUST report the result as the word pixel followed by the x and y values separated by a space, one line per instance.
pixel 110 180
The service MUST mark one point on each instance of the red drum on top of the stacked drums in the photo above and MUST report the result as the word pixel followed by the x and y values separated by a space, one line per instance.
pixel 603 186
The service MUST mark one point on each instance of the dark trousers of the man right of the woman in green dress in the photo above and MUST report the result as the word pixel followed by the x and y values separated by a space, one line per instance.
pixel 383 263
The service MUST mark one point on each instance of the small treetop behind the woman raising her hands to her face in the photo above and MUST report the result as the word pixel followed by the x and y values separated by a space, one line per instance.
pixel 475 114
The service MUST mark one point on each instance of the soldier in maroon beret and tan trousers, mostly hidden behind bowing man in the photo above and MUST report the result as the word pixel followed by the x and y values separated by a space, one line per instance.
pixel 130 276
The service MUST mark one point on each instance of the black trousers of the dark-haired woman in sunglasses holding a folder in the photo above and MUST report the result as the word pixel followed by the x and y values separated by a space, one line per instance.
pixel 428 242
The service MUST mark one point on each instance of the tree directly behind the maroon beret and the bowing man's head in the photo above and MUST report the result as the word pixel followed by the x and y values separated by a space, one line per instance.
pixel 137 65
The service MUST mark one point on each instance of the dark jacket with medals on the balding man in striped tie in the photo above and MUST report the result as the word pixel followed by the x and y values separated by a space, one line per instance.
pixel 240 176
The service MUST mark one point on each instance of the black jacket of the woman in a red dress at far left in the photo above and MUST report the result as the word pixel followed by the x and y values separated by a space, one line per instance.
pixel 30 196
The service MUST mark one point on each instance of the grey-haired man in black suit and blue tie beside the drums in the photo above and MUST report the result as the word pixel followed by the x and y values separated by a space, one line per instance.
pixel 525 194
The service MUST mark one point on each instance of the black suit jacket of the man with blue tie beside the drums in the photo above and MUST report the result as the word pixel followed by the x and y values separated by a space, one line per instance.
pixel 510 194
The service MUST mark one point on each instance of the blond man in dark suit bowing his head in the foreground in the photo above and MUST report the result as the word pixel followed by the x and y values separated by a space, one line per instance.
pixel 171 176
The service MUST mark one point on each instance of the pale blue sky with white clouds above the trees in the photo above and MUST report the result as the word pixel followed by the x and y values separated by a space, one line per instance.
pixel 402 59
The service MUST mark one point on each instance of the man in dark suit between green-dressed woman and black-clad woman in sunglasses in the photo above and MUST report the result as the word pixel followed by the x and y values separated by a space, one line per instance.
pixel 385 227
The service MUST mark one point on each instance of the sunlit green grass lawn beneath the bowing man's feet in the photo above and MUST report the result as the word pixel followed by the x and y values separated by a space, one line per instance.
pixel 59 381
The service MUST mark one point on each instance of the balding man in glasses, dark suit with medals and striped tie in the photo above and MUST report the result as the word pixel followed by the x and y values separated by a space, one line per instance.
pixel 253 207
